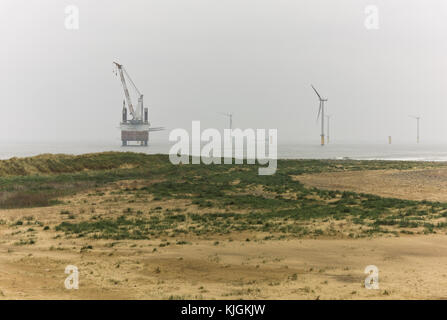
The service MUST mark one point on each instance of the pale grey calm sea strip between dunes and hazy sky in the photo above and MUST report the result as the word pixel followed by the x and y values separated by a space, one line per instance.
pixel 419 152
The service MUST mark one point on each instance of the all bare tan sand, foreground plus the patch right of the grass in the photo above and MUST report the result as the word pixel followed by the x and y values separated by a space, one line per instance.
pixel 410 267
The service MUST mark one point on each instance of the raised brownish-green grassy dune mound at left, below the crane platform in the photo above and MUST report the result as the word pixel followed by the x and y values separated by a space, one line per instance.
pixel 41 180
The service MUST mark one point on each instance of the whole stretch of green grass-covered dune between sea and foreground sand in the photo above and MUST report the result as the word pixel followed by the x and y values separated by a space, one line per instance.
pixel 213 199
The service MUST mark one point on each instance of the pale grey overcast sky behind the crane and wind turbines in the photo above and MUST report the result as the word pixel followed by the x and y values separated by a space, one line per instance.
pixel 254 58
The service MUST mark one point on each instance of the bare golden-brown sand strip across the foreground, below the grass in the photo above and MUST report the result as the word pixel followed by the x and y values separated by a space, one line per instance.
pixel 409 268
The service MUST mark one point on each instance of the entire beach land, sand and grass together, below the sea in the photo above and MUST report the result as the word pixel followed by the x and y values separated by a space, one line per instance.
pixel 299 238
